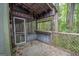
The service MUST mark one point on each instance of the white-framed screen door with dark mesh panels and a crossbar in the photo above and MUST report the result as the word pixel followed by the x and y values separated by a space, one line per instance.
pixel 19 30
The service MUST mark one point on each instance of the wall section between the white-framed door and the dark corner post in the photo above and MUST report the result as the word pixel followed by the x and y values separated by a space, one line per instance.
pixel 31 27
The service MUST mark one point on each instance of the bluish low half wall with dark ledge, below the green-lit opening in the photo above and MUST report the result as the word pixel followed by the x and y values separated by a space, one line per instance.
pixel 44 37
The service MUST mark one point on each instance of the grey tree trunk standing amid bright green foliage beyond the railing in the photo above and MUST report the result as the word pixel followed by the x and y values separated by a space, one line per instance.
pixel 70 16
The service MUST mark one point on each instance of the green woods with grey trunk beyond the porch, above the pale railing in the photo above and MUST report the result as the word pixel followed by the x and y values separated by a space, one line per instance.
pixel 68 17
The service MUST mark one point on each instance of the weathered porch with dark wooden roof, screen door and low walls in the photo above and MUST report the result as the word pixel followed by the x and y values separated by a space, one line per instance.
pixel 33 29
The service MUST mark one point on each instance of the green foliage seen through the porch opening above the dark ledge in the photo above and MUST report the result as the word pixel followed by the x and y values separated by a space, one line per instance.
pixel 44 24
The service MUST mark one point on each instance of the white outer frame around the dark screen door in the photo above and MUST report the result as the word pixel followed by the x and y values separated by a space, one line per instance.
pixel 15 29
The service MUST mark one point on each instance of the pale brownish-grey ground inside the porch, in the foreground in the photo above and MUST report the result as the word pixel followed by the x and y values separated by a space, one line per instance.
pixel 36 48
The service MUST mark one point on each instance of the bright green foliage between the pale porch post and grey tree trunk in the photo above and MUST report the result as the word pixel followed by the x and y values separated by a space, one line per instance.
pixel 62 17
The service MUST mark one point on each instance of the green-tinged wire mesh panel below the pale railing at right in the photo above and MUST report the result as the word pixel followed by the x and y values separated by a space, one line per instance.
pixel 68 41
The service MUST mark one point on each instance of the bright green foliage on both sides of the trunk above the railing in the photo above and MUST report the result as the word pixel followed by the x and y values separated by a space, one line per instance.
pixel 63 10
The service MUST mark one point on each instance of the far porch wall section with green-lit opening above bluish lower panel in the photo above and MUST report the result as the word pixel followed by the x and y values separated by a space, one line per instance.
pixel 44 29
